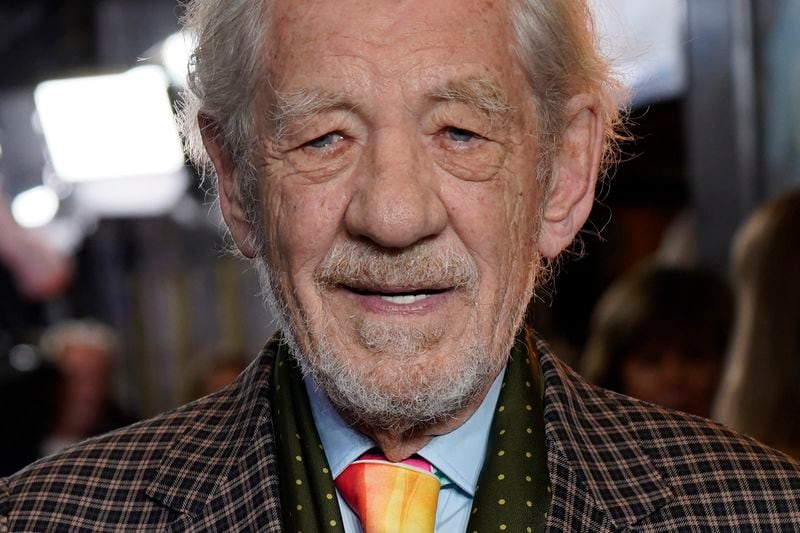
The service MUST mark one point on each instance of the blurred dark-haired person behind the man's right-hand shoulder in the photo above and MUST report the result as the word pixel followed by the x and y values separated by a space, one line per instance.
pixel 660 334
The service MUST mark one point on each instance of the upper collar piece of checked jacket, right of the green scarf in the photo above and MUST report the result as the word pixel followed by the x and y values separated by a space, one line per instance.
pixel 600 444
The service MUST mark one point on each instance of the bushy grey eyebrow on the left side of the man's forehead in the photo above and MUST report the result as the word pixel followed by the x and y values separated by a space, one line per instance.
pixel 295 109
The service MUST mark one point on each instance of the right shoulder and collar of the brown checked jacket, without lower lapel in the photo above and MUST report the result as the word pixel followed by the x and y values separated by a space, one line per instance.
pixel 663 469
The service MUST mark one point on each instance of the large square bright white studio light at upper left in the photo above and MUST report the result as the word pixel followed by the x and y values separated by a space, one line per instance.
pixel 104 127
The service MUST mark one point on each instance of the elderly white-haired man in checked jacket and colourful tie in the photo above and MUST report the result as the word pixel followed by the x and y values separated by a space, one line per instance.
pixel 399 172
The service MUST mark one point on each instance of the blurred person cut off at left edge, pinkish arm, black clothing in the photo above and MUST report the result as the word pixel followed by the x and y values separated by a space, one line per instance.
pixel 31 273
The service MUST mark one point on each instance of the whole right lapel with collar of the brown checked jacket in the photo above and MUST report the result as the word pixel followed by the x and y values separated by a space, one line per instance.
pixel 601 474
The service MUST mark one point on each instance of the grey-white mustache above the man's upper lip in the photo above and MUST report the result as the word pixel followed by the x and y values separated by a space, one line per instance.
pixel 364 265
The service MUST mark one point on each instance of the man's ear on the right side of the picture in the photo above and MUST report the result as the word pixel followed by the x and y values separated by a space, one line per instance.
pixel 575 168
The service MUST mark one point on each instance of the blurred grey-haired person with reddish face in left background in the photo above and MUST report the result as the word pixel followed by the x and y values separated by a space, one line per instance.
pixel 83 351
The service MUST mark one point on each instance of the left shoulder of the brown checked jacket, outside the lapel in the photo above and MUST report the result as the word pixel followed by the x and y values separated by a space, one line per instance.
pixel 102 480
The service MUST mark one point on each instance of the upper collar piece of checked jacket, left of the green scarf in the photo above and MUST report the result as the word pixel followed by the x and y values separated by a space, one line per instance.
pixel 216 428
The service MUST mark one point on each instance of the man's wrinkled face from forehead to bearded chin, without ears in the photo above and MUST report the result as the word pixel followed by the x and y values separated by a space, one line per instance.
pixel 399 199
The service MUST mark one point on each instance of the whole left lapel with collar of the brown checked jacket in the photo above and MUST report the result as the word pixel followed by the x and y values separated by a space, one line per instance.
pixel 223 458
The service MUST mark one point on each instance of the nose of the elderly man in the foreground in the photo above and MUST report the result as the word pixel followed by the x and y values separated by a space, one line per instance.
pixel 396 203
